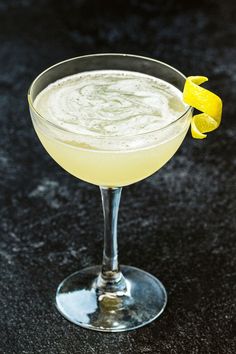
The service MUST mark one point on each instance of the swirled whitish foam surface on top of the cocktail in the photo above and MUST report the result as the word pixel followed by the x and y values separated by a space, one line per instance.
pixel 110 103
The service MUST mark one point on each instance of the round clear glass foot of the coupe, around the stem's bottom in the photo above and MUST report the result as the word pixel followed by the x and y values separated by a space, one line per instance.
pixel 78 300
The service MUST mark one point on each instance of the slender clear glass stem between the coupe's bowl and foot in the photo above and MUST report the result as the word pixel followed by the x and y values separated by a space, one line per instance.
pixel 110 279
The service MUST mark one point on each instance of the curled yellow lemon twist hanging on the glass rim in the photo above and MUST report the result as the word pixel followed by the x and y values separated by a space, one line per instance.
pixel 205 101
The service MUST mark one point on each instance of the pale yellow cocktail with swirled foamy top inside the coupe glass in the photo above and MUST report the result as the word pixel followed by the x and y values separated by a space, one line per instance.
pixel 113 127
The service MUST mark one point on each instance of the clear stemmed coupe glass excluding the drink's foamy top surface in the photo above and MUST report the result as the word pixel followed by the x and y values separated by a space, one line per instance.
pixel 110 297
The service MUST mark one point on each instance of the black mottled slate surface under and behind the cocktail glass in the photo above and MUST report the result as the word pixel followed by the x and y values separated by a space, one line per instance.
pixel 179 224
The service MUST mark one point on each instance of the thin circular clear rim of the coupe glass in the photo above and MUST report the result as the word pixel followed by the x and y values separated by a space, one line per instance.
pixel 31 103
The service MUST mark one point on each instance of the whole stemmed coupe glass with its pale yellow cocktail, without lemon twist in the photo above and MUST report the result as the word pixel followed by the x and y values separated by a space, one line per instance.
pixel 111 120
